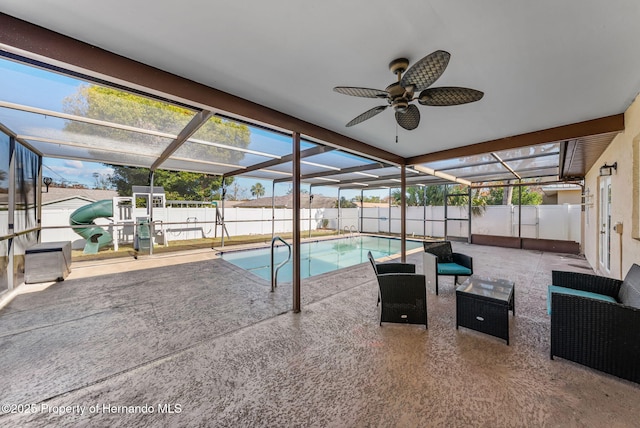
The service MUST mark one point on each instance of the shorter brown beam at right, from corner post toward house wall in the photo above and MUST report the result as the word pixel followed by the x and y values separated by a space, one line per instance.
pixel 566 132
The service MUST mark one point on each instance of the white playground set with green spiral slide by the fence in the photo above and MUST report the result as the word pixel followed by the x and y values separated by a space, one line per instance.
pixel 143 219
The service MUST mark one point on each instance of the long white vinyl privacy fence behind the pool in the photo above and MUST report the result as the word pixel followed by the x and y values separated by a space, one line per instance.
pixel 562 222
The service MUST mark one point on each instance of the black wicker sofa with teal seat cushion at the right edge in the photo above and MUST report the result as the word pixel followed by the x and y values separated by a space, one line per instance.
pixel 595 321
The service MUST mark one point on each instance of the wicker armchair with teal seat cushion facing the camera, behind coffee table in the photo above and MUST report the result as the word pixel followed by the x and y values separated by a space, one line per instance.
pixel 439 259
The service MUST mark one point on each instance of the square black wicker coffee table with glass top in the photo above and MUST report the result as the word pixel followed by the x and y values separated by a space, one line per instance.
pixel 483 304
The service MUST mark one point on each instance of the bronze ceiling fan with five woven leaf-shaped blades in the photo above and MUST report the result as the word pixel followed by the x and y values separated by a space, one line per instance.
pixel 418 78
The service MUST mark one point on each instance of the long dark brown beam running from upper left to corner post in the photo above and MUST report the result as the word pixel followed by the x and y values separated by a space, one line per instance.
pixel 37 43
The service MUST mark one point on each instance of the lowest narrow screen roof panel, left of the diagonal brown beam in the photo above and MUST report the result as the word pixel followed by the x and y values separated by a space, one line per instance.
pixel 92 155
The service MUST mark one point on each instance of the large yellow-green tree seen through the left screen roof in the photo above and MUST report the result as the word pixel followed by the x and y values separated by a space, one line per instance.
pixel 120 107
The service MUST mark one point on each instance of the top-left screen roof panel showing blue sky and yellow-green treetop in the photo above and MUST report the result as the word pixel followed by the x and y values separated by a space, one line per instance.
pixel 44 89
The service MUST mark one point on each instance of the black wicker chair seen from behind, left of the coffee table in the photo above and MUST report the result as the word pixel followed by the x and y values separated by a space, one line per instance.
pixel 402 292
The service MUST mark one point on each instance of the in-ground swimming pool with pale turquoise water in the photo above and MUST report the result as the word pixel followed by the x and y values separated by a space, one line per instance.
pixel 318 256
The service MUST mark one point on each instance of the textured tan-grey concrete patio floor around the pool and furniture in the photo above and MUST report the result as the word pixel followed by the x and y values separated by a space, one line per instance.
pixel 202 343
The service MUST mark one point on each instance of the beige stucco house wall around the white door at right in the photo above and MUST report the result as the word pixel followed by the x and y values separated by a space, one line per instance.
pixel 625 200
